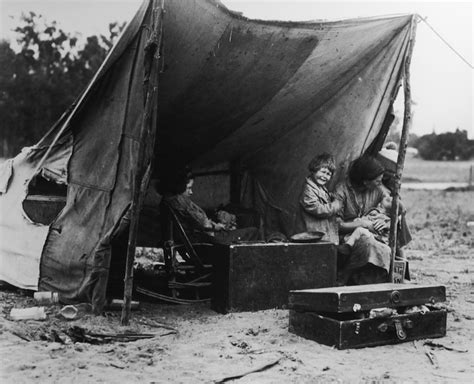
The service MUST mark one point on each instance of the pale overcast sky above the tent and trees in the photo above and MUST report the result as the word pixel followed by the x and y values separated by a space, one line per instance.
pixel 442 84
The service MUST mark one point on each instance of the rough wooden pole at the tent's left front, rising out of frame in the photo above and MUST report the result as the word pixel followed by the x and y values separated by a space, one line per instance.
pixel 147 138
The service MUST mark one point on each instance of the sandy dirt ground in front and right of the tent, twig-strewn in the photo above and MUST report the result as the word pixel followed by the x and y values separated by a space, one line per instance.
pixel 209 347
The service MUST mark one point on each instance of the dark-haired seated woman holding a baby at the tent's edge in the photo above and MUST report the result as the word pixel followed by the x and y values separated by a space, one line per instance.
pixel 369 259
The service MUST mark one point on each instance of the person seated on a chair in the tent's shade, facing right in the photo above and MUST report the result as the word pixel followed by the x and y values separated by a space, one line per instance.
pixel 177 192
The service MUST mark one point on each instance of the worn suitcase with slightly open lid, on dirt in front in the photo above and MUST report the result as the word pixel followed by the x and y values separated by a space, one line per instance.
pixel 352 317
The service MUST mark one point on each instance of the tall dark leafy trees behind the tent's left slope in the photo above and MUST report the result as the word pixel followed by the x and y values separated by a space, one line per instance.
pixel 43 77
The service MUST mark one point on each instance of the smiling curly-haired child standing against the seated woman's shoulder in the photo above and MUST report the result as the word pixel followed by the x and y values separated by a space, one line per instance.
pixel 317 206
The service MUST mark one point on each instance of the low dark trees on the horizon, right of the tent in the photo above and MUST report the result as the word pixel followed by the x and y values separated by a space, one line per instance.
pixel 445 146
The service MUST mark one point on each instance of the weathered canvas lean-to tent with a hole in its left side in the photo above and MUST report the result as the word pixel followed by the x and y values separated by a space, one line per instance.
pixel 265 95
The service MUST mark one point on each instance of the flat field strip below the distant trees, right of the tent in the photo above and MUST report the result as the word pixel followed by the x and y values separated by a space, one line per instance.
pixel 417 170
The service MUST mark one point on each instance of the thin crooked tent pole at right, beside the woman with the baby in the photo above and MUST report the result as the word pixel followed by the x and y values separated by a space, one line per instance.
pixel 402 149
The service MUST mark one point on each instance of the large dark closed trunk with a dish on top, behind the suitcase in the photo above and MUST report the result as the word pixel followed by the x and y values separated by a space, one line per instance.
pixel 256 276
